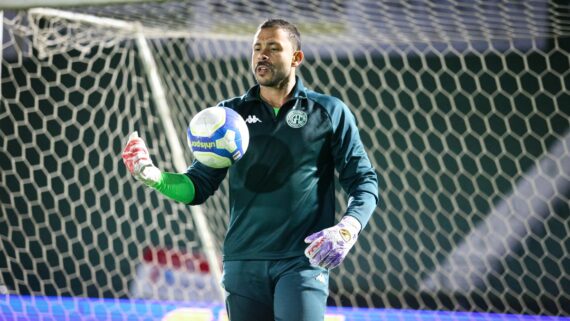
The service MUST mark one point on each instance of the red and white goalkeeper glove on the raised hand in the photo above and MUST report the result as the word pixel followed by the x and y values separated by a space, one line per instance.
pixel 138 162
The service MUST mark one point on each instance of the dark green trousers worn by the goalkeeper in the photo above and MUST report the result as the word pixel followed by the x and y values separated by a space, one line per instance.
pixel 275 290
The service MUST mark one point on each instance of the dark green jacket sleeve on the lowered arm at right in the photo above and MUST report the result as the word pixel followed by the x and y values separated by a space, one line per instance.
pixel 356 174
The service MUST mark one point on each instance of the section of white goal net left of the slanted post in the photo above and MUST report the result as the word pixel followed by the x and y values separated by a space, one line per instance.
pixel 73 223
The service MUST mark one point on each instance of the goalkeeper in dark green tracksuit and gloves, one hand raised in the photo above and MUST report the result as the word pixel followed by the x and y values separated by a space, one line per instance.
pixel 282 239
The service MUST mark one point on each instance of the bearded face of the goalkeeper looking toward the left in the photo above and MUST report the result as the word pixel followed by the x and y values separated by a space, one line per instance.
pixel 273 57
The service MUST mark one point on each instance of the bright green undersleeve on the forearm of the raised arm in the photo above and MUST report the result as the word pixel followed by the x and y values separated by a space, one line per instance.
pixel 176 186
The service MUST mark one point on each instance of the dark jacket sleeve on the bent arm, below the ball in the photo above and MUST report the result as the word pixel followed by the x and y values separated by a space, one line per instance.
pixel 206 181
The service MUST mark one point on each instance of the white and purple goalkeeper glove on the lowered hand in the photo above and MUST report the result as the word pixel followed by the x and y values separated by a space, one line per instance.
pixel 329 247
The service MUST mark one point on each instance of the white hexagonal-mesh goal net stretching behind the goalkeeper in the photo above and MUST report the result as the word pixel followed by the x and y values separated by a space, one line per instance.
pixel 463 107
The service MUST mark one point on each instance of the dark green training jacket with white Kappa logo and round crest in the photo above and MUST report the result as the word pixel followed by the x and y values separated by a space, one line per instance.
pixel 282 190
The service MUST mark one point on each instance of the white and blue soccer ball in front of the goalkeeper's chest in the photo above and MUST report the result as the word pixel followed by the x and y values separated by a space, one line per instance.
pixel 218 137
